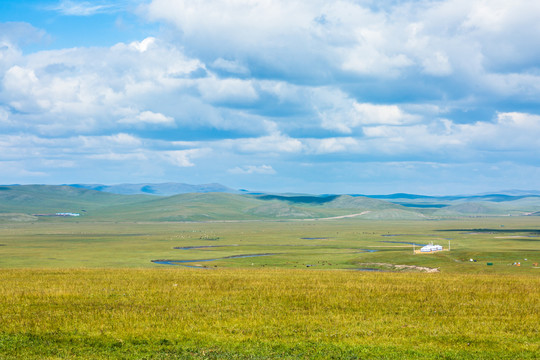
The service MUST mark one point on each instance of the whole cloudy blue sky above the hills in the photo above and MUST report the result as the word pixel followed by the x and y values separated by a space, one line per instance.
pixel 308 96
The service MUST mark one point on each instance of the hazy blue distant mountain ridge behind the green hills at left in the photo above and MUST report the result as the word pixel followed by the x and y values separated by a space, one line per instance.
pixel 163 189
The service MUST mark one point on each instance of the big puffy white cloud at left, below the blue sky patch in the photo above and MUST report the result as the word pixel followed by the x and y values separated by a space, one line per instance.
pixel 60 91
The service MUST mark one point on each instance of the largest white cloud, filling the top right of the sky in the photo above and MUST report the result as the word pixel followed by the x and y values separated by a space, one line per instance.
pixel 466 39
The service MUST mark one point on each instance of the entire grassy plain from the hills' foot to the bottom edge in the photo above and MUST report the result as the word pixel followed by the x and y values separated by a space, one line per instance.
pixel 86 288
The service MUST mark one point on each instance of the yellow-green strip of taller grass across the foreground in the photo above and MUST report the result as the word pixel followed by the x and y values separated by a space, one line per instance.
pixel 266 313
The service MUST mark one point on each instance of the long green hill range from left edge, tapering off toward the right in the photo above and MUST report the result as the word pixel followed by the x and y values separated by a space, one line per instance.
pixel 28 200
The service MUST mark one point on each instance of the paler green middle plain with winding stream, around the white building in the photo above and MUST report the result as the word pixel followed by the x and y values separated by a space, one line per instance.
pixel 331 244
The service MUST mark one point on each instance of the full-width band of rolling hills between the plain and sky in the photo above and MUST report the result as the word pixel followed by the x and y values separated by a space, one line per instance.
pixel 25 202
